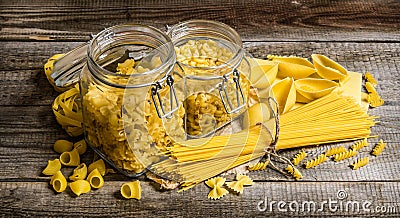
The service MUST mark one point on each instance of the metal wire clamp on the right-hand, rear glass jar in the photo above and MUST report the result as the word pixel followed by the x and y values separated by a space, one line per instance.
pixel 240 99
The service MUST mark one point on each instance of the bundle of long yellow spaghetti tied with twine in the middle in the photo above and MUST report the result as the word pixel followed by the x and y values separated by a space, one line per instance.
pixel 332 118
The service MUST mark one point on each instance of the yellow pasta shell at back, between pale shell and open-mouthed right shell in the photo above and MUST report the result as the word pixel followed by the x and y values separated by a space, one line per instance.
pixel 294 67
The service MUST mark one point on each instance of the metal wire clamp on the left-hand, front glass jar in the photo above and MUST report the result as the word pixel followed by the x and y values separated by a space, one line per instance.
pixel 156 97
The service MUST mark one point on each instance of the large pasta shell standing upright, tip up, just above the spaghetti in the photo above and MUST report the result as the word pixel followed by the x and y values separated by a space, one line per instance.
pixel 284 92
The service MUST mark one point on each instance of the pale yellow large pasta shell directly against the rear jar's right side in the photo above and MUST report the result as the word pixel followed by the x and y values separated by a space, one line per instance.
pixel 263 73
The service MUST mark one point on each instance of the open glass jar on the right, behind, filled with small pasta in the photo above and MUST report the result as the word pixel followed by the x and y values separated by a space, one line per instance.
pixel 217 75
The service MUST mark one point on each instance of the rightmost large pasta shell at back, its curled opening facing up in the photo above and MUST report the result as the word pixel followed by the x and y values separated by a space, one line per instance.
pixel 329 69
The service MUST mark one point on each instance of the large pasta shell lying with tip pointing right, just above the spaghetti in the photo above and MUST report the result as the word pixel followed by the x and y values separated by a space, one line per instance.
pixel 309 89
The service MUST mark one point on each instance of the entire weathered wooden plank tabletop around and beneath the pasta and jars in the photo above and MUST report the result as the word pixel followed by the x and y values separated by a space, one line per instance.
pixel 360 35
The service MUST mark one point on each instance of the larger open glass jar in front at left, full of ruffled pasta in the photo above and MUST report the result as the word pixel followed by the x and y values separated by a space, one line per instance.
pixel 124 64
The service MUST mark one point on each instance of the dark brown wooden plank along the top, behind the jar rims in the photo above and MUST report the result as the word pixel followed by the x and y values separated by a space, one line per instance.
pixel 254 20
